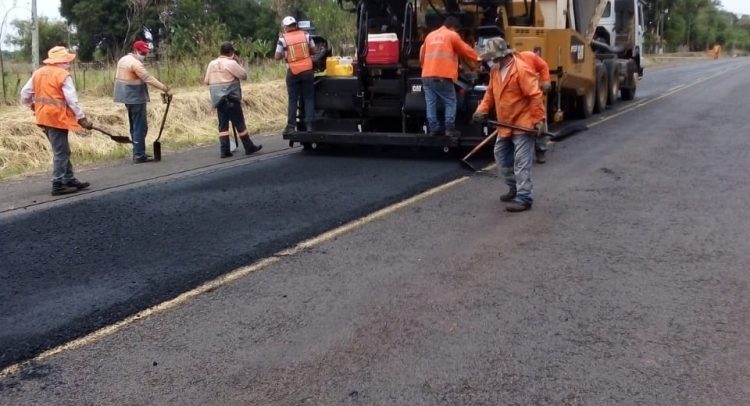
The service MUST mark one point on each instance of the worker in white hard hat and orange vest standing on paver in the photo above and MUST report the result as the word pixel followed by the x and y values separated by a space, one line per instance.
pixel 296 48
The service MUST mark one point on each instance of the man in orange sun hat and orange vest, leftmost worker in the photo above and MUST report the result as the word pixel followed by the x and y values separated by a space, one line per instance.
pixel 52 96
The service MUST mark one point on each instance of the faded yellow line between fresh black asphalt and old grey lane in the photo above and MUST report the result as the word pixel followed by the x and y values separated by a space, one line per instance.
pixel 230 277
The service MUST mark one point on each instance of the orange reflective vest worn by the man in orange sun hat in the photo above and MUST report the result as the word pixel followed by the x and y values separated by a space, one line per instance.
pixel 50 107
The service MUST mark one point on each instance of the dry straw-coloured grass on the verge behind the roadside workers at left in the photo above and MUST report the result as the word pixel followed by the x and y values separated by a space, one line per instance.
pixel 191 121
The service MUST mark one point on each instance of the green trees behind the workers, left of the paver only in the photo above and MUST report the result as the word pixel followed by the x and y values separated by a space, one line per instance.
pixel 102 30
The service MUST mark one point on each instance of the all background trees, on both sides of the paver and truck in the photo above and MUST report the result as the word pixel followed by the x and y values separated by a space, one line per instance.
pixel 104 29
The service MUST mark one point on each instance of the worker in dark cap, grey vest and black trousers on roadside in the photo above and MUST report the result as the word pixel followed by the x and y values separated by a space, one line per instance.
pixel 223 77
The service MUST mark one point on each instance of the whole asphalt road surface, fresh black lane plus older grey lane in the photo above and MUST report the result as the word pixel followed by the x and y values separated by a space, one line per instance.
pixel 625 284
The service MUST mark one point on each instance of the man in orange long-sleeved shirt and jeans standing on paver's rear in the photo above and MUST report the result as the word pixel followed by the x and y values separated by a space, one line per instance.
pixel 439 60
